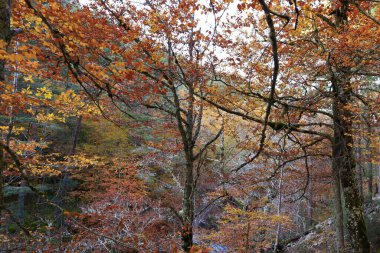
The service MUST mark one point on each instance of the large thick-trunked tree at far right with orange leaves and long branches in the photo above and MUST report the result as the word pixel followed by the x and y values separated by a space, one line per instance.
pixel 324 95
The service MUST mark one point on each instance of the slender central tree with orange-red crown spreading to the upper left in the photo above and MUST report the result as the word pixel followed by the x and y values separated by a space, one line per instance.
pixel 139 57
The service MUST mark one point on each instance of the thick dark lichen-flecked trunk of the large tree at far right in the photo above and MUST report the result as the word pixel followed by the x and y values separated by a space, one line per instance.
pixel 342 144
